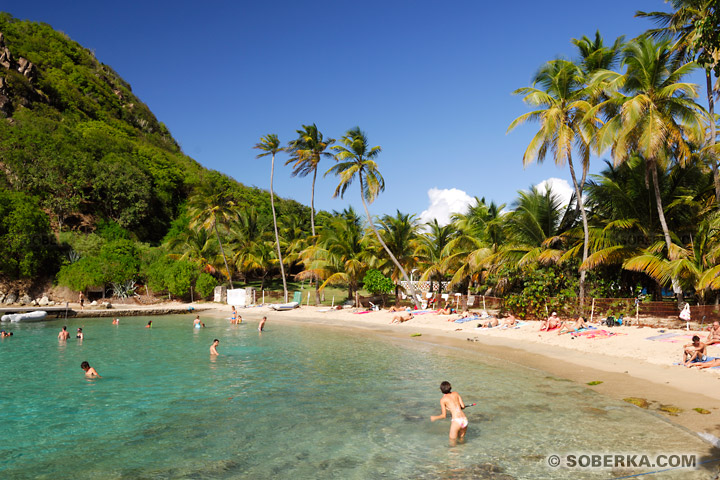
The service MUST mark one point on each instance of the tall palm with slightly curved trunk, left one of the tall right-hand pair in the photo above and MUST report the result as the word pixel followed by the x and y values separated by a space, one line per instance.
pixel 562 98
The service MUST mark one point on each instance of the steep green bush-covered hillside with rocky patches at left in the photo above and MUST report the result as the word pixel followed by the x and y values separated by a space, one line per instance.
pixel 76 137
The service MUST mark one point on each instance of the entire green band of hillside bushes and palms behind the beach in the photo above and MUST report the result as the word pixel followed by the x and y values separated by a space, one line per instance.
pixel 151 215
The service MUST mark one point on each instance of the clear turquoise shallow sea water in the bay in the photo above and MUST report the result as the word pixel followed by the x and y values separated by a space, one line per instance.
pixel 295 402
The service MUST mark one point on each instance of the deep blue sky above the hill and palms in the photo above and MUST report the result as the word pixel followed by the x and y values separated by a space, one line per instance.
pixel 430 82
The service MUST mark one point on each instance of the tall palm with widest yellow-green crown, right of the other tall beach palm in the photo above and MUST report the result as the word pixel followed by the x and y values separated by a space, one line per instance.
pixel 657 117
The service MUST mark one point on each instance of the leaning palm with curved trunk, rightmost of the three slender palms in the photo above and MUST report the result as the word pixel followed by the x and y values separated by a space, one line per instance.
pixel 356 159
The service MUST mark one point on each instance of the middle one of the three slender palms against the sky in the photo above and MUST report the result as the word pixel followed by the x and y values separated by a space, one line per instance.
pixel 305 154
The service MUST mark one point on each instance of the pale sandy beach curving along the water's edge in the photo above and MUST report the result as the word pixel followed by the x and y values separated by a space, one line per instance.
pixel 632 362
